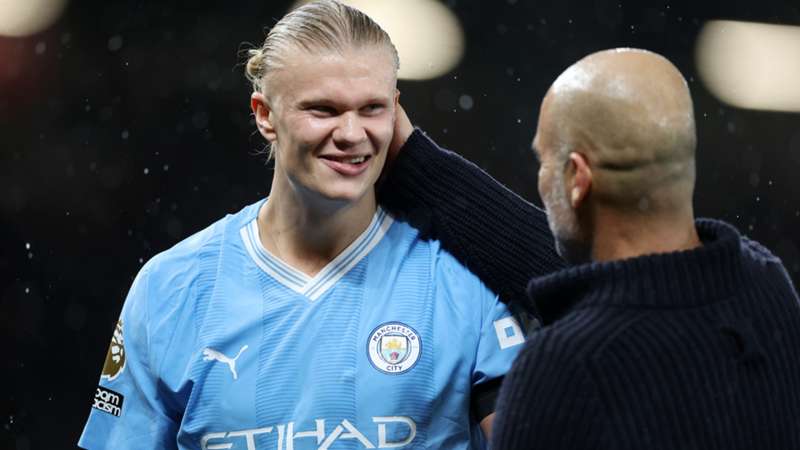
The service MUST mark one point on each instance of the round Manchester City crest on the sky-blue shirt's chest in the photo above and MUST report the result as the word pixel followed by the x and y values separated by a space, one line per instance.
pixel 394 347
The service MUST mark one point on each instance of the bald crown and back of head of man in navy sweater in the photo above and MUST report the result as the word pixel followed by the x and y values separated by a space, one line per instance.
pixel 630 113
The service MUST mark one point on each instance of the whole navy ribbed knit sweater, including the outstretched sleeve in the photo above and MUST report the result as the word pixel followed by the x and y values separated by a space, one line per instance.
pixel 690 350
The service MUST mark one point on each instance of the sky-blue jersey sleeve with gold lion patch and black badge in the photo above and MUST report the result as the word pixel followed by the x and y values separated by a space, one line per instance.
pixel 127 412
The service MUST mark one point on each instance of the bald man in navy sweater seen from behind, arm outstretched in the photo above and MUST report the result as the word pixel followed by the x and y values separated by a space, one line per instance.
pixel 668 332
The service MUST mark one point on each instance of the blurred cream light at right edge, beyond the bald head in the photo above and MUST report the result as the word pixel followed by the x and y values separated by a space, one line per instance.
pixel 751 65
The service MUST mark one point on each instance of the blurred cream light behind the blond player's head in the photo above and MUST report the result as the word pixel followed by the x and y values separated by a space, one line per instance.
pixel 428 36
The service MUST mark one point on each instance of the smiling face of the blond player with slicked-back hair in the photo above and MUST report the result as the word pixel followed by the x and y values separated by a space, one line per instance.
pixel 331 117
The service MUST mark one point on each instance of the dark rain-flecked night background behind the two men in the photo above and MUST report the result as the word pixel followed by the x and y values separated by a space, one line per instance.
pixel 126 127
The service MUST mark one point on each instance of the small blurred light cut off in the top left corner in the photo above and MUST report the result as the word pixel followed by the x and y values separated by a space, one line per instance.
pixel 25 17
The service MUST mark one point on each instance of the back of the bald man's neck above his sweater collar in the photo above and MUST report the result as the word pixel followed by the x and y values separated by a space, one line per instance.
pixel 620 237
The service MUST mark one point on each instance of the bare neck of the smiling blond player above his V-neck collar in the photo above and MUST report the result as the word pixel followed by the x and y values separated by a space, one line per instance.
pixel 307 231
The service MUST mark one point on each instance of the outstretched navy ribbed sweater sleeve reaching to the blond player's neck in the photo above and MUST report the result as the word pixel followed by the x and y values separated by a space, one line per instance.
pixel 495 233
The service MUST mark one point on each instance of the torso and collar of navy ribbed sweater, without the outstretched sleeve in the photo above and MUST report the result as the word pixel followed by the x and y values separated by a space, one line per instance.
pixel 689 350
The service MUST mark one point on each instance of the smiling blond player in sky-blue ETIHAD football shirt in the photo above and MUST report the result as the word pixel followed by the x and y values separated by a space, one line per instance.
pixel 311 319
